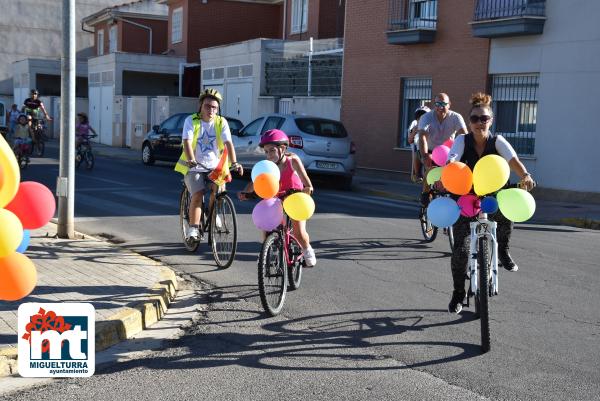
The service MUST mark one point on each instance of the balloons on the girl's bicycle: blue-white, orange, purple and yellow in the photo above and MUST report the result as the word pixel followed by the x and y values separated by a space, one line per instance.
pixel 268 213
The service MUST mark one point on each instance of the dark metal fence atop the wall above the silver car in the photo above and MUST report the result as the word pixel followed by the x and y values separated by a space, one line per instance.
pixel 292 69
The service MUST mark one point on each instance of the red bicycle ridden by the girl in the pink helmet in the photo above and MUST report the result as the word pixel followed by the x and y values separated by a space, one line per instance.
pixel 280 264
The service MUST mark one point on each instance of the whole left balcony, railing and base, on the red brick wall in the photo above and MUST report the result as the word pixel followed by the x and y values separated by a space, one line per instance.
pixel 412 21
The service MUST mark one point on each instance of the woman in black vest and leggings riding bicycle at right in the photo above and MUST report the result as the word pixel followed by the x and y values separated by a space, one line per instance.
pixel 468 149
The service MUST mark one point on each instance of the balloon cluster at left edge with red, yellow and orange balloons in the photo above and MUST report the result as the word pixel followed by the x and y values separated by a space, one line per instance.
pixel 23 207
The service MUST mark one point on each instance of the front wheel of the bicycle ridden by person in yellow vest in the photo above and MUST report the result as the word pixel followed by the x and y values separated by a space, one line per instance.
pixel 223 231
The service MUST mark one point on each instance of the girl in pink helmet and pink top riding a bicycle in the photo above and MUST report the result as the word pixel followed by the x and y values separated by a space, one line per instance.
pixel 293 176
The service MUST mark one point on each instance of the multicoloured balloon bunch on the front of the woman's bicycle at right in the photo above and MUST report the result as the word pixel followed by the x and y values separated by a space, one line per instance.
pixel 489 175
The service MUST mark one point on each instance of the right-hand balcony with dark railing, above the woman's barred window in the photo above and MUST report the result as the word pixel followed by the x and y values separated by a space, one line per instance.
pixel 500 18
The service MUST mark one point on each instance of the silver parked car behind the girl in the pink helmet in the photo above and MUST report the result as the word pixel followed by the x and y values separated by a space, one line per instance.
pixel 323 145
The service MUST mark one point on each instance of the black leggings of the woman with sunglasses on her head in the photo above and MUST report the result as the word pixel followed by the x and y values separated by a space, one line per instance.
pixel 460 254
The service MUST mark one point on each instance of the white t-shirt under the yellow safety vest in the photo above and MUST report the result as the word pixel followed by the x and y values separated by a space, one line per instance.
pixel 207 151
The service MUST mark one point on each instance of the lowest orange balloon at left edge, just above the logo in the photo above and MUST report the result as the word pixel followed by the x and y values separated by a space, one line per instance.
pixel 18 277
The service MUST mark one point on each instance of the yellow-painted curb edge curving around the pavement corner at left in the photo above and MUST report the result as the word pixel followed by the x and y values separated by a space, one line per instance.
pixel 122 325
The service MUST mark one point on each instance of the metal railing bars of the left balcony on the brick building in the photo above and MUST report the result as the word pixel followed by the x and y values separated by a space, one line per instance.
pixel 412 14
